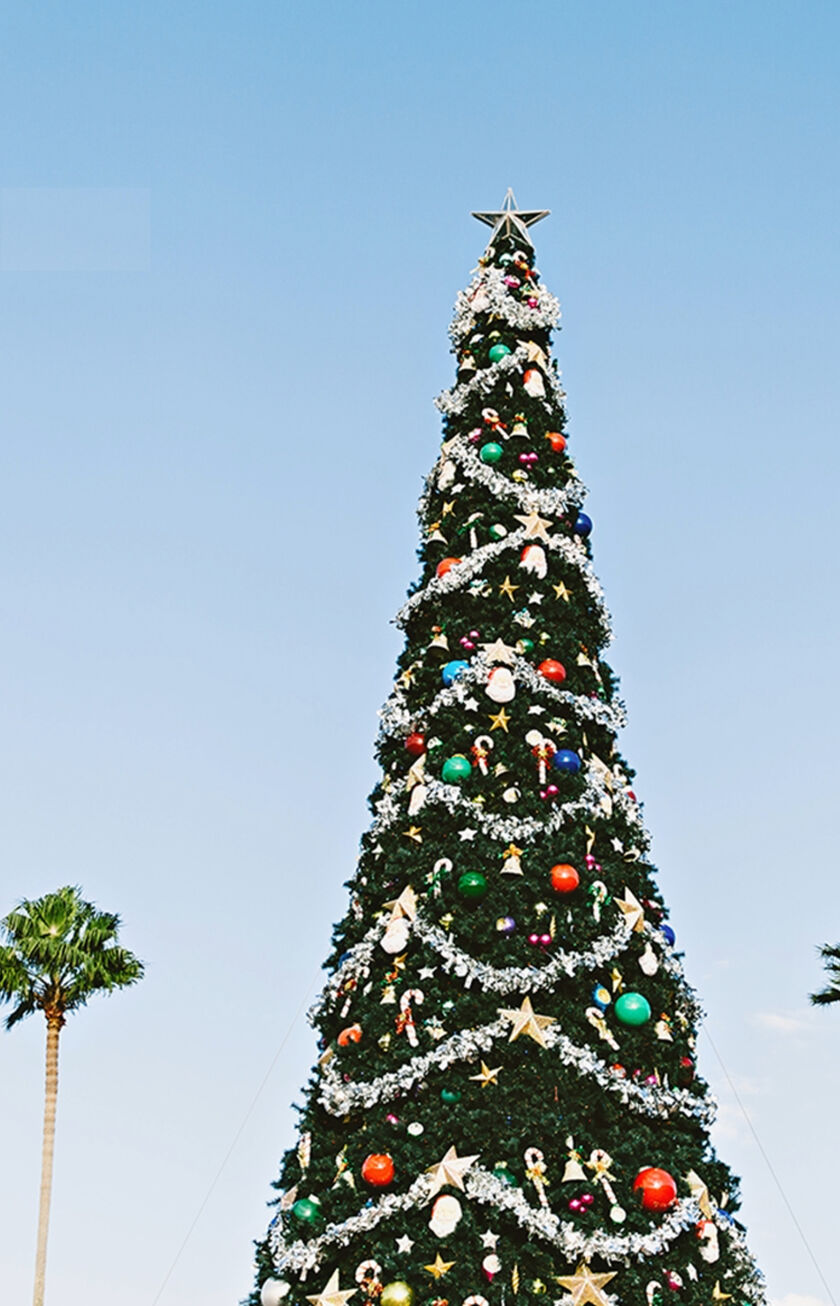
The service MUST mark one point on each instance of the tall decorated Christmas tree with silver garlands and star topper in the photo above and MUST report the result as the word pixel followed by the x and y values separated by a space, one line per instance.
pixel 506 1107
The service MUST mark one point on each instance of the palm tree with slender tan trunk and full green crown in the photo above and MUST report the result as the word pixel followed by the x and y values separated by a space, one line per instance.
pixel 57 953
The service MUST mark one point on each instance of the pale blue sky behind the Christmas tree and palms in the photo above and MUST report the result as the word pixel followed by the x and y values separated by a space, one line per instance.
pixel 231 238
